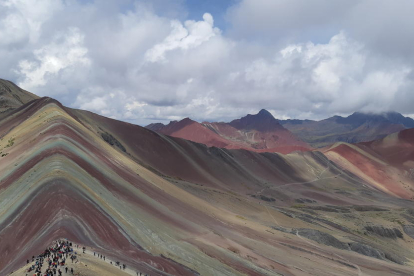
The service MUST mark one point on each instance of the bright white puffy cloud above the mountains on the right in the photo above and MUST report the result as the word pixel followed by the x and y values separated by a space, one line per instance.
pixel 339 76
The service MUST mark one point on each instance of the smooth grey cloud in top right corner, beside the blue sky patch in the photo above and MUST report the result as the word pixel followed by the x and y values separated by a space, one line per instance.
pixel 382 25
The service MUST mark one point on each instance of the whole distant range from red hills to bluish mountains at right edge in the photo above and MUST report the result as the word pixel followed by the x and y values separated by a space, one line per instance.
pixel 262 132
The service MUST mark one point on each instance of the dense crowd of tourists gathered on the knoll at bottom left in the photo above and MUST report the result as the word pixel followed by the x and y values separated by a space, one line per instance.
pixel 54 259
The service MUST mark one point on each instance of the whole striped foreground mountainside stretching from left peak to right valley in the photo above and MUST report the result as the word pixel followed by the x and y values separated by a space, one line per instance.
pixel 168 206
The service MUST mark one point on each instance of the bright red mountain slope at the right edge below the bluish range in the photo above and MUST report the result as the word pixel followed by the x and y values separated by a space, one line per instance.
pixel 387 164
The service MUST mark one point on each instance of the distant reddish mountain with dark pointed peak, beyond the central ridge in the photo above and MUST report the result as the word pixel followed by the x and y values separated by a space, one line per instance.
pixel 260 133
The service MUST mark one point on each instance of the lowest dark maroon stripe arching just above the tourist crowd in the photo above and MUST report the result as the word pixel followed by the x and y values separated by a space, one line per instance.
pixel 56 209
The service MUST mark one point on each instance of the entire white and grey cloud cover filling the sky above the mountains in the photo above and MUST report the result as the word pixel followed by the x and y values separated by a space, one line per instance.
pixel 141 62
